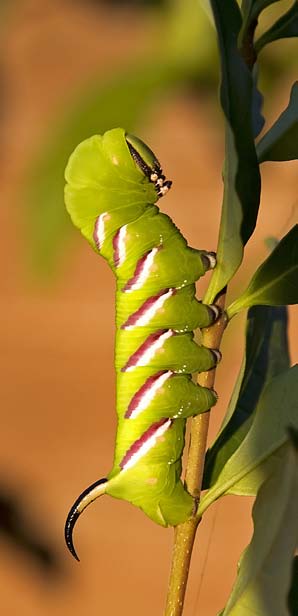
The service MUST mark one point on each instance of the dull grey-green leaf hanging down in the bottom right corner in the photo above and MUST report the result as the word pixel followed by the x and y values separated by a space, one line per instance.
pixel 264 574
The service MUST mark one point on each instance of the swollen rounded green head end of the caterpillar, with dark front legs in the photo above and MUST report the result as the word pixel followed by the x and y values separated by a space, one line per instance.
pixel 108 174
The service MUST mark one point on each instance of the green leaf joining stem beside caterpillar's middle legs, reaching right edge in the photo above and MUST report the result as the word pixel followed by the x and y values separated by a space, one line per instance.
pixel 275 281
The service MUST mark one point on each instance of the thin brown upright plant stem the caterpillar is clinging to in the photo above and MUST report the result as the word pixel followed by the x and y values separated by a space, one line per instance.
pixel 185 533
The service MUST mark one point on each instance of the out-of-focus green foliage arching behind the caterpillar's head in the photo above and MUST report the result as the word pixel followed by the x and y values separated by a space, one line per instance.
pixel 182 55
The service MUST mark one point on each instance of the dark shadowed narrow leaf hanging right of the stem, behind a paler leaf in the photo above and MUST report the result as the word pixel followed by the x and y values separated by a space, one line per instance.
pixel 266 355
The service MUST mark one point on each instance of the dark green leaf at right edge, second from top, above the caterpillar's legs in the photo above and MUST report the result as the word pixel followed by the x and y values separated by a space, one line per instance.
pixel 281 141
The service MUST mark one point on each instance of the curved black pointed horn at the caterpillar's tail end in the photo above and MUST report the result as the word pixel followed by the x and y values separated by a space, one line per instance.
pixel 88 496
